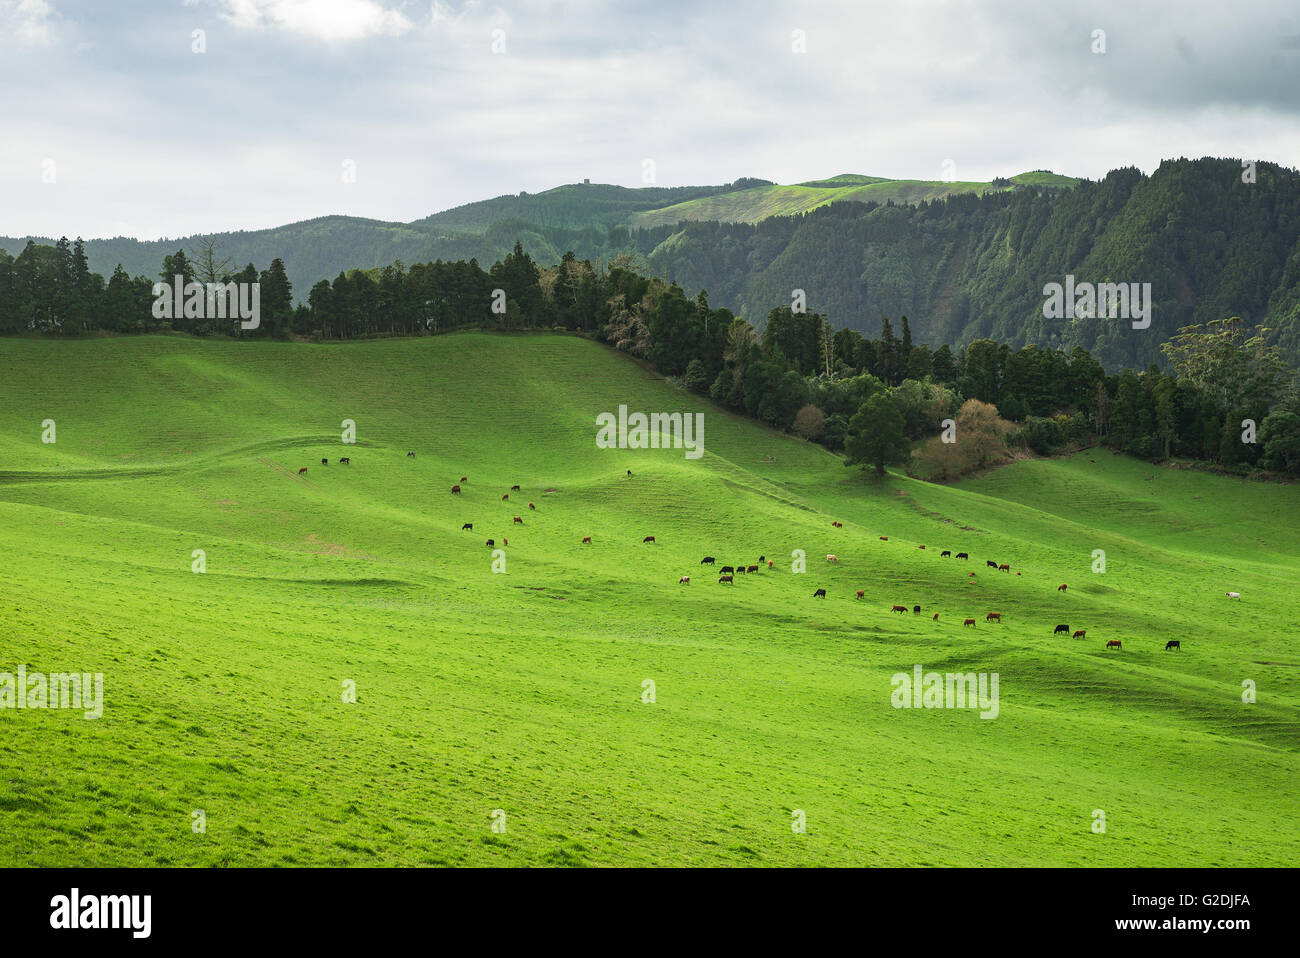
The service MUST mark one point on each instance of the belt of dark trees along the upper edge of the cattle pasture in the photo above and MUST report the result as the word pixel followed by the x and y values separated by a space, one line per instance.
pixel 1229 398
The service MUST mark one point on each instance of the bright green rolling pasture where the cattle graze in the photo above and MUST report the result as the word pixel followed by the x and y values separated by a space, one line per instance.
pixel 523 692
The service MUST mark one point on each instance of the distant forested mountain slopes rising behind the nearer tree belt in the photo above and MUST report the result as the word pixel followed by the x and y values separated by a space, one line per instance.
pixel 1212 239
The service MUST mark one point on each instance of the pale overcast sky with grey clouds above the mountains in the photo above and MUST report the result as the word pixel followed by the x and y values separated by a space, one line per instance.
pixel 141 136
